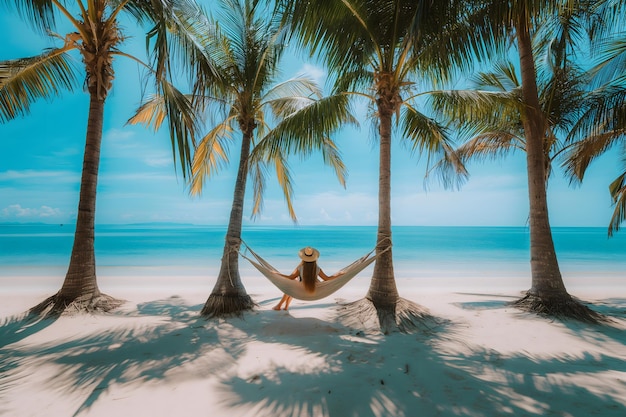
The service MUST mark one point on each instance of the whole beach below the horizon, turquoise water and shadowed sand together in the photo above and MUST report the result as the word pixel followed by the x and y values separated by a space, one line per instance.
pixel 156 355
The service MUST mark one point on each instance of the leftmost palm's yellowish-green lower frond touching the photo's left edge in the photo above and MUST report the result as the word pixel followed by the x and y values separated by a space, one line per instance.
pixel 23 81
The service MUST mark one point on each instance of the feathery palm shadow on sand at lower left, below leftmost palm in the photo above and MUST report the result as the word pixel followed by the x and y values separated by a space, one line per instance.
pixel 89 366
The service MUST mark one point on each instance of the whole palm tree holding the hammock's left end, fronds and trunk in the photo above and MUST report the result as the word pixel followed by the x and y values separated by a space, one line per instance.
pixel 245 47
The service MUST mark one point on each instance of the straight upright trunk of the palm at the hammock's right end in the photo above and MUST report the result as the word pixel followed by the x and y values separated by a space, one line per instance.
pixel 383 290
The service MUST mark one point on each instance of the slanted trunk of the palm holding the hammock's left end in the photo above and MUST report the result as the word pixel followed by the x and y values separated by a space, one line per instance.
pixel 229 296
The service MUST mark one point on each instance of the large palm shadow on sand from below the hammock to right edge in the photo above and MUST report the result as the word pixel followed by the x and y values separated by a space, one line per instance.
pixel 410 375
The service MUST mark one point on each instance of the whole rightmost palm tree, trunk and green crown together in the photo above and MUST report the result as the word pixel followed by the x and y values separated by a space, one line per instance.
pixel 537 115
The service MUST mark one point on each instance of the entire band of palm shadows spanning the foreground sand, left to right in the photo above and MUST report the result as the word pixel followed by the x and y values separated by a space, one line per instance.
pixel 275 364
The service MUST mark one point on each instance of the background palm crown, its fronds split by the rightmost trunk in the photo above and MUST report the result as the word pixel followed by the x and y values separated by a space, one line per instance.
pixel 490 113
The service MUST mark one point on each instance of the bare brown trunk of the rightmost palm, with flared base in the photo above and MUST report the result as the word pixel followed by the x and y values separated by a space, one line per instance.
pixel 547 294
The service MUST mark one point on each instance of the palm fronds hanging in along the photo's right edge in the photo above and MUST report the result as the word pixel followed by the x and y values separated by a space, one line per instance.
pixel 603 125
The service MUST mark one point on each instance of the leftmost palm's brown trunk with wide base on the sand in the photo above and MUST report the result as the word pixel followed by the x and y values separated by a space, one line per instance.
pixel 80 288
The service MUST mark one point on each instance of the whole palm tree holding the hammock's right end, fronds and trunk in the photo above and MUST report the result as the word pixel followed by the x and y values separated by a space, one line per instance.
pixel 376 49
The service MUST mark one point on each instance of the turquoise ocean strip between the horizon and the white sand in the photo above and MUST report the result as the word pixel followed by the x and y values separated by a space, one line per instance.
pixel 43 249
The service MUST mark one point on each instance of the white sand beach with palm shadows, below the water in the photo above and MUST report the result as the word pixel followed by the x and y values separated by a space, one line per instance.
pixel 156 357
